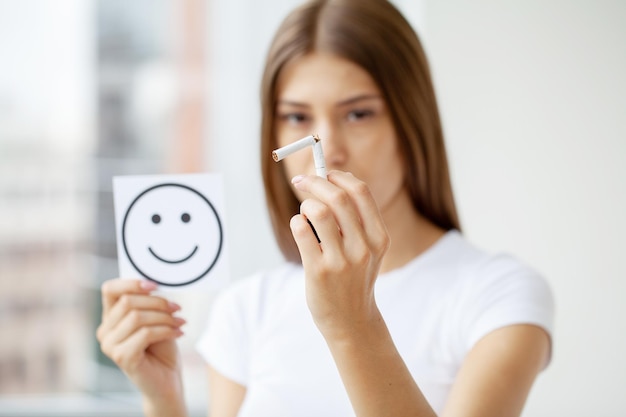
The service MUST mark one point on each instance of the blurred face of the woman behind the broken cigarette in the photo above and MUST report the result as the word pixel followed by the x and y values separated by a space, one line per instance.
pixel 339 101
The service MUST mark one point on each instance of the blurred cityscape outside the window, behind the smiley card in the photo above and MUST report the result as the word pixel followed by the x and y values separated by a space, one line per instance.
pixel 100 88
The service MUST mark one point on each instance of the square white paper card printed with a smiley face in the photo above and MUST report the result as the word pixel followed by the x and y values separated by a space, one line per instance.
pixel 170 229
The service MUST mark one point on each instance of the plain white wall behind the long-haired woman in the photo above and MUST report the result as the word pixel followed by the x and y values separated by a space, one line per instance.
pixel 533 97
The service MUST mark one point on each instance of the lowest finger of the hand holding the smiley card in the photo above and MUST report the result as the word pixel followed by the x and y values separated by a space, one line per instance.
pixel 133 348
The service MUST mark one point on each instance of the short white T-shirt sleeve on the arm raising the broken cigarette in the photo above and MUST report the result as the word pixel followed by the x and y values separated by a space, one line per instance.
pixel 503 292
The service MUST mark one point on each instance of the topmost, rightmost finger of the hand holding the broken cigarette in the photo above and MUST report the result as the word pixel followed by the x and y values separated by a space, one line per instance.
pixel 361 196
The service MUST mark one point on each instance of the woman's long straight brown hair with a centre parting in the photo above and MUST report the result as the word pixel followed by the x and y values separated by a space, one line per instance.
pixel 374 35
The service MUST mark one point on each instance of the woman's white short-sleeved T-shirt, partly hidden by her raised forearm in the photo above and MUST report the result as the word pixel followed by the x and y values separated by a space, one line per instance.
pixel 261 333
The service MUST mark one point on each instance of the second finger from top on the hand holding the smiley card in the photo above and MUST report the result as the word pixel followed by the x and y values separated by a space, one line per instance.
pixel 128 302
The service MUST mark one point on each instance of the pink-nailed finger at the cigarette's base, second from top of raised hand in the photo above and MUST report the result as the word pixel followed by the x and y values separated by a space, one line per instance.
pixel 340 201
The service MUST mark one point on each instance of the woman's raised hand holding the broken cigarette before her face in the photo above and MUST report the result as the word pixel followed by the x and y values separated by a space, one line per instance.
pixel 342 268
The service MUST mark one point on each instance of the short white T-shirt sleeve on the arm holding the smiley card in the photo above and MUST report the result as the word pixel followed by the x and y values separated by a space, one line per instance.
pixel 224 343
